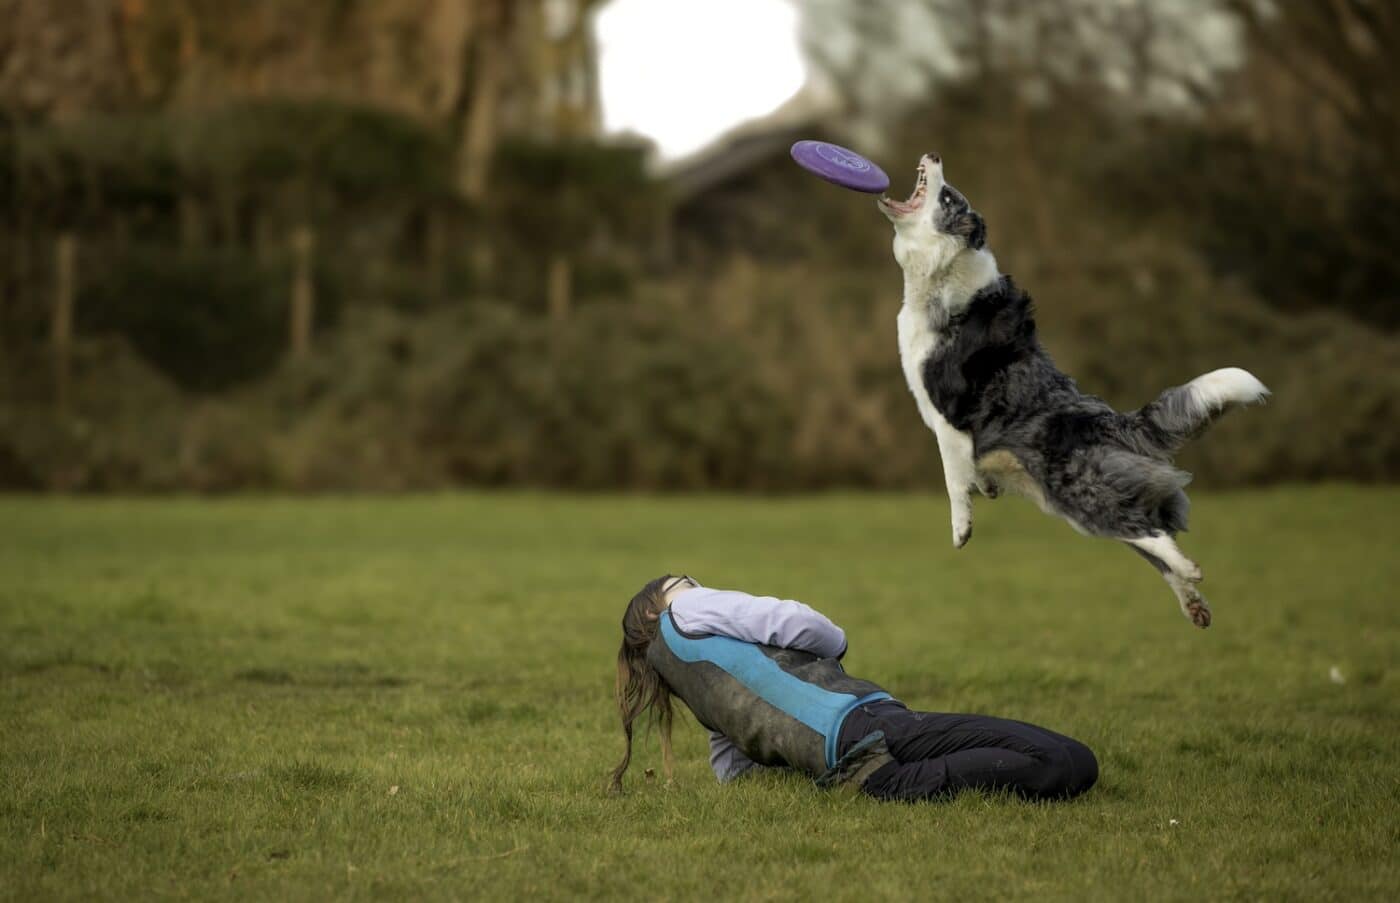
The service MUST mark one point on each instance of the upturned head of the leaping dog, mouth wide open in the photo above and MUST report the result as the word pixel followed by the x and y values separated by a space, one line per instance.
pixel 937 223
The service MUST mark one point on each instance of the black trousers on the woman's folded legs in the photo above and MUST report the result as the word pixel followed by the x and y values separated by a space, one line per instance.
pixel 939 755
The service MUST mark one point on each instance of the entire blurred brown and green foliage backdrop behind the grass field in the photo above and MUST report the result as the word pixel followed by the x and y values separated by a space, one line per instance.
pixel 491 292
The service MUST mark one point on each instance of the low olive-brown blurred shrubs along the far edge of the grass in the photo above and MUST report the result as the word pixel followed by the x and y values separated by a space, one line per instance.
pixel 758 379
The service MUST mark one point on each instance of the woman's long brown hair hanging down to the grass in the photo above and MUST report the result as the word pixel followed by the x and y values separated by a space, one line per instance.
pixel 640 688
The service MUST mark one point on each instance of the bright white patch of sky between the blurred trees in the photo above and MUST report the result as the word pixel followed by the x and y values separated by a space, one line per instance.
pixel 682 72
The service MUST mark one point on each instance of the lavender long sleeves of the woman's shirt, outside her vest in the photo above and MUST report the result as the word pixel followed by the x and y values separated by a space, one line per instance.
pixel 752 619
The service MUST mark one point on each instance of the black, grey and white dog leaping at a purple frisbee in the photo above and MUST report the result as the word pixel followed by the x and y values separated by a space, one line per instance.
pixel 1007 419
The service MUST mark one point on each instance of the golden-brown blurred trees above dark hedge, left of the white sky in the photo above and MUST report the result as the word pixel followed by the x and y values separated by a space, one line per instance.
pixel 484 69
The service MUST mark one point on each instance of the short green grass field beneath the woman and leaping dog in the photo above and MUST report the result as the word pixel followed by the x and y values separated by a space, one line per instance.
pixel 411 698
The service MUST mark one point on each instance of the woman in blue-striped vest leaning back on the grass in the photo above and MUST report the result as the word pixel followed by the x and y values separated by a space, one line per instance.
pixel 765 677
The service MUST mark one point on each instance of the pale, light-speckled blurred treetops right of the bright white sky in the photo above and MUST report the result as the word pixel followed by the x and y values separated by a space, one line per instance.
pixel 890 57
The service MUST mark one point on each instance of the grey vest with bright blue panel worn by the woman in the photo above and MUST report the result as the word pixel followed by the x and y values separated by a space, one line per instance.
pixel 778 706
